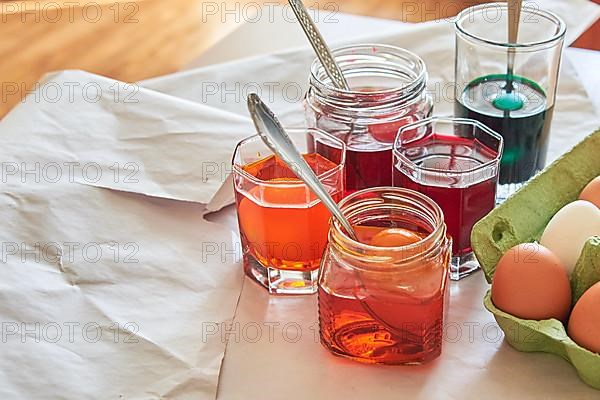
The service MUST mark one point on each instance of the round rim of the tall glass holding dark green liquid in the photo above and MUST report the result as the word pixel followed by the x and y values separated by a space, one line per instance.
pixel 550 16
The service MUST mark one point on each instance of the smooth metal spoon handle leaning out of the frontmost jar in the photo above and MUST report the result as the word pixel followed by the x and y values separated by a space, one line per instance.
pixel 275 137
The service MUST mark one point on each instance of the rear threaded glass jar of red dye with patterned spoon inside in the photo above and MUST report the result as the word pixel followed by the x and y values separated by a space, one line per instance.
pixel 387 91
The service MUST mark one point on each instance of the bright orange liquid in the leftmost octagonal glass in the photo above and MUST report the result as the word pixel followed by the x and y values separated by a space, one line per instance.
pixel 284 227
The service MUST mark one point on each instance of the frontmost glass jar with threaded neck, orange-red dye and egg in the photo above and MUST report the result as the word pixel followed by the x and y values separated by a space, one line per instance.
pixel 382 300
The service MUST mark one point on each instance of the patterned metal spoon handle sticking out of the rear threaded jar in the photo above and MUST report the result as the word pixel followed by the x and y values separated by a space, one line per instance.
pixel 318 43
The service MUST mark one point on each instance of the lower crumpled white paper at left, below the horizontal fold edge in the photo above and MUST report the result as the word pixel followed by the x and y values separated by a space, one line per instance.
pixel 108 295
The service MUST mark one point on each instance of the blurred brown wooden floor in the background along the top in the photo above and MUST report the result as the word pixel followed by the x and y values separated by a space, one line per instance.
pixel 132 40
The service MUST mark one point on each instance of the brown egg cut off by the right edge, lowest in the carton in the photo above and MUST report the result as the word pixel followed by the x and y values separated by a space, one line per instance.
pixel 584 324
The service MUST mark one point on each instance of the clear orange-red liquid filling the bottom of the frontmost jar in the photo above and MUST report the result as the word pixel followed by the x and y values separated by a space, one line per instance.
pixel 406 330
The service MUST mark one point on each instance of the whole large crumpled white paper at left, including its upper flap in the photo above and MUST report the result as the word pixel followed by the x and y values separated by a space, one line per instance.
pixel 108 294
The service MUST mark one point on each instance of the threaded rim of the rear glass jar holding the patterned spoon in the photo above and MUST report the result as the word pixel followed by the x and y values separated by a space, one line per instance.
pixel 317 71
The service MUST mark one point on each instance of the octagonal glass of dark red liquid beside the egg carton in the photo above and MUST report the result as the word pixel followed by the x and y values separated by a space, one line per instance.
pixel 455 161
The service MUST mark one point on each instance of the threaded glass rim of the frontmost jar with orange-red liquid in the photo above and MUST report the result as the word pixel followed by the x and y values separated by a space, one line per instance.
pixel 438 230
